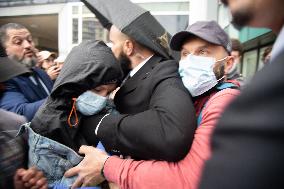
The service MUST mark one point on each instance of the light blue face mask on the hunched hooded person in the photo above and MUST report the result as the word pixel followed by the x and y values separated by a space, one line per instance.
pixel 89 103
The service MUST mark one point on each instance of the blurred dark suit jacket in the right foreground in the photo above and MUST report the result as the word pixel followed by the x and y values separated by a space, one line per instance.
pixel 249 140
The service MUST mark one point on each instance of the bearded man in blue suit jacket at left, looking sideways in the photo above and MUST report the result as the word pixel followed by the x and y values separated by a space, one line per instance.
pixel 23 94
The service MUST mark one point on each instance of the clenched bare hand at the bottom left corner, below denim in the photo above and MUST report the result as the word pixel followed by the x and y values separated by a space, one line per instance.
pixel 29 178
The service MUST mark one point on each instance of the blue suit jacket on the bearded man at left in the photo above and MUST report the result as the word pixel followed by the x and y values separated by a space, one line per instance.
pixel 22 96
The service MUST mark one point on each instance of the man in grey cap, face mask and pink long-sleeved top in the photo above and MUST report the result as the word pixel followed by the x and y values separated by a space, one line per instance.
pixel 205 60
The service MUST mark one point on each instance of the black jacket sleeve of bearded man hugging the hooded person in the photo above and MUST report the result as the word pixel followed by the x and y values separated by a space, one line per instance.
pixel 164 131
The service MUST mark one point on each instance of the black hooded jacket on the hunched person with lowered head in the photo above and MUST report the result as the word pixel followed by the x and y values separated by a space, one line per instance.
pixel 88 65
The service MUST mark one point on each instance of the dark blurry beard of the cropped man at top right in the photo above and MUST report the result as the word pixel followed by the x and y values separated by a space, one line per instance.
pixel 241 18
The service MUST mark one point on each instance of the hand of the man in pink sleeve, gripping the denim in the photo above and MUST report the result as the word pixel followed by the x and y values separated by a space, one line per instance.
pixel 89 169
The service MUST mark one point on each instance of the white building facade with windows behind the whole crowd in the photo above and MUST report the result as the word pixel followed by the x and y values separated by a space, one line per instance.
pixel 59 25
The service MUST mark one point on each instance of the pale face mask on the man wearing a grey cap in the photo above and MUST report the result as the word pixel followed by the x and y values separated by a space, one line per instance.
pixel 197 73
